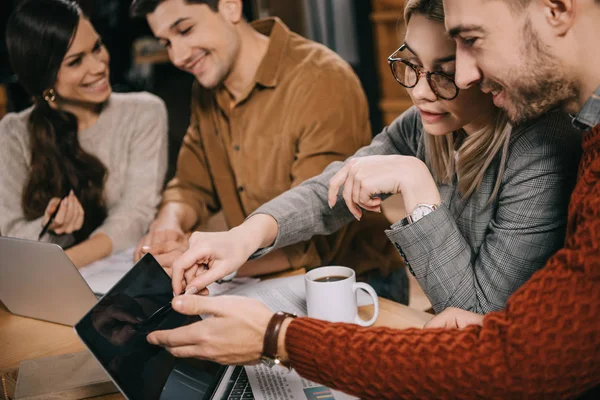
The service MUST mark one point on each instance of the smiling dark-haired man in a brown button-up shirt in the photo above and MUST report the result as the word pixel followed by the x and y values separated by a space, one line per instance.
pixel 270 109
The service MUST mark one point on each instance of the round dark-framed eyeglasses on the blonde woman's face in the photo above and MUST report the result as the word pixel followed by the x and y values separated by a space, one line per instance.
pixel 408 75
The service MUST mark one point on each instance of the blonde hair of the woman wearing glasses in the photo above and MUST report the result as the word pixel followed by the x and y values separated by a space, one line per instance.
pixel 477 150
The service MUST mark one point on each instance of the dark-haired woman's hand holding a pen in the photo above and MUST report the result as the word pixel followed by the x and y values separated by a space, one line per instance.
pixel 70 214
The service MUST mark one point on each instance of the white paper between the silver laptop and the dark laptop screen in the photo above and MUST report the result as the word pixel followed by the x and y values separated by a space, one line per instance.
pixel 103 274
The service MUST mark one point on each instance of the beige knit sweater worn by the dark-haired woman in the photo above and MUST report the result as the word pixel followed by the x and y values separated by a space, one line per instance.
pixel 130 138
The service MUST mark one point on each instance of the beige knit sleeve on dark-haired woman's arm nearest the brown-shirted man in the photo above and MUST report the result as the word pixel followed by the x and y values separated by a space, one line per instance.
pixel 129 218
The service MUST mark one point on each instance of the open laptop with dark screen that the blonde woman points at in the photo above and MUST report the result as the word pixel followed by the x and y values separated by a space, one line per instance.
pixel 115 331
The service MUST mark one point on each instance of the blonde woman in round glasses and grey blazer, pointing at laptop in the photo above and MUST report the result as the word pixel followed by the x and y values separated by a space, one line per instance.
pixel 486 202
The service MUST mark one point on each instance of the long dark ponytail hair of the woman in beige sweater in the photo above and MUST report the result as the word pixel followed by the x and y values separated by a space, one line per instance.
pixel 38 35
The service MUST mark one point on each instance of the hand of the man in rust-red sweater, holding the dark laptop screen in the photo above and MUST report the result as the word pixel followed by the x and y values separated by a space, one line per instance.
pixel 233 335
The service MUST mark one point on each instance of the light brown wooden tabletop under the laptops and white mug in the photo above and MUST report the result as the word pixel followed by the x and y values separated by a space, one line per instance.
pixel 25 338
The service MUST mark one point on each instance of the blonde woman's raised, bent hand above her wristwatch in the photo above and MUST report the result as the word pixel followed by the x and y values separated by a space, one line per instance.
pixel 365 178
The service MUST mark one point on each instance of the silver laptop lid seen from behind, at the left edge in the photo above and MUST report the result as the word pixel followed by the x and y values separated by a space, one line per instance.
pixel 38 280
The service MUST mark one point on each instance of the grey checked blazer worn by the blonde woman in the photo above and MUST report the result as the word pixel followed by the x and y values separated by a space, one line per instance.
pixel 465 254
